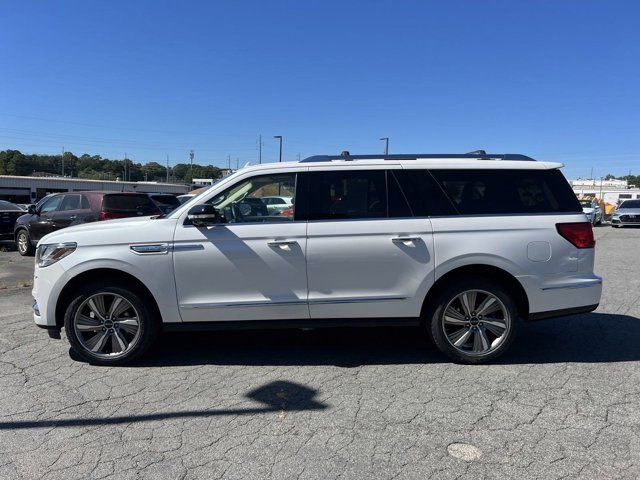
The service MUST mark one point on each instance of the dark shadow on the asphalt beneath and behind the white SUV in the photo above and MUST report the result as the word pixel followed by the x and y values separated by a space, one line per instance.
pixel 593 337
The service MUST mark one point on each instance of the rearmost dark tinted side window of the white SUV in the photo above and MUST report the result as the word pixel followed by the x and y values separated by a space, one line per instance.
pixel 486 192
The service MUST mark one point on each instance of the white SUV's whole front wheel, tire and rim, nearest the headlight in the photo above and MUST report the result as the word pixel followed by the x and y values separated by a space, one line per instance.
pixel 109 325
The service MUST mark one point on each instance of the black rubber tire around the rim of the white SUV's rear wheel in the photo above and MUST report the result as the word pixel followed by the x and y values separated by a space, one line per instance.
pixel 434 316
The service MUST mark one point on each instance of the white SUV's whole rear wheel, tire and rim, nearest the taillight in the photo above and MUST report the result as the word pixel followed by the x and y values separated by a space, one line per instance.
pixel 472 321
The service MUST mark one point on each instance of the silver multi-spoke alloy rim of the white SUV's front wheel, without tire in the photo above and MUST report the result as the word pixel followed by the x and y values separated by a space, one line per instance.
pixel 107 325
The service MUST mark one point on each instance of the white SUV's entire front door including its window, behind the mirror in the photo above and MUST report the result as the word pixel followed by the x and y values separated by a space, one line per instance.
pixel 252 266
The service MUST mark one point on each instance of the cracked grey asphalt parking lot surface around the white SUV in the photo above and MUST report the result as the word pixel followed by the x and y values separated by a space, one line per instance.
pixel 374 403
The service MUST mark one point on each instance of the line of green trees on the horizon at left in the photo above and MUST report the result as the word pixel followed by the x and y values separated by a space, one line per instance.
pixel 13 162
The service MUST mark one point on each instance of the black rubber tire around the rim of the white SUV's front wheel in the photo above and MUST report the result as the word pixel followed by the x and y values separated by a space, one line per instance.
pixel 147 324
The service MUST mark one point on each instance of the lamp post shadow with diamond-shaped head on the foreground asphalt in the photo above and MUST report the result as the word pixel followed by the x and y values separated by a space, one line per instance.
pixel 279 396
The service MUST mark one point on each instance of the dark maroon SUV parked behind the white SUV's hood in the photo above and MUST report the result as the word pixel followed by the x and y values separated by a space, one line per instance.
pixel 67 209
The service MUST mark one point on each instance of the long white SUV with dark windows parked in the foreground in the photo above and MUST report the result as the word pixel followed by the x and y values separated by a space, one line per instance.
pixel 464 246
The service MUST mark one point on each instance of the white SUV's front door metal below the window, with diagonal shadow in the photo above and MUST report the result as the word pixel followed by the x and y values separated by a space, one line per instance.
pixel 251 271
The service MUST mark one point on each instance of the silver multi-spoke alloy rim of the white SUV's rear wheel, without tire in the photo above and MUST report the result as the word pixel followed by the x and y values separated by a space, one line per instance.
pixel 476 322
